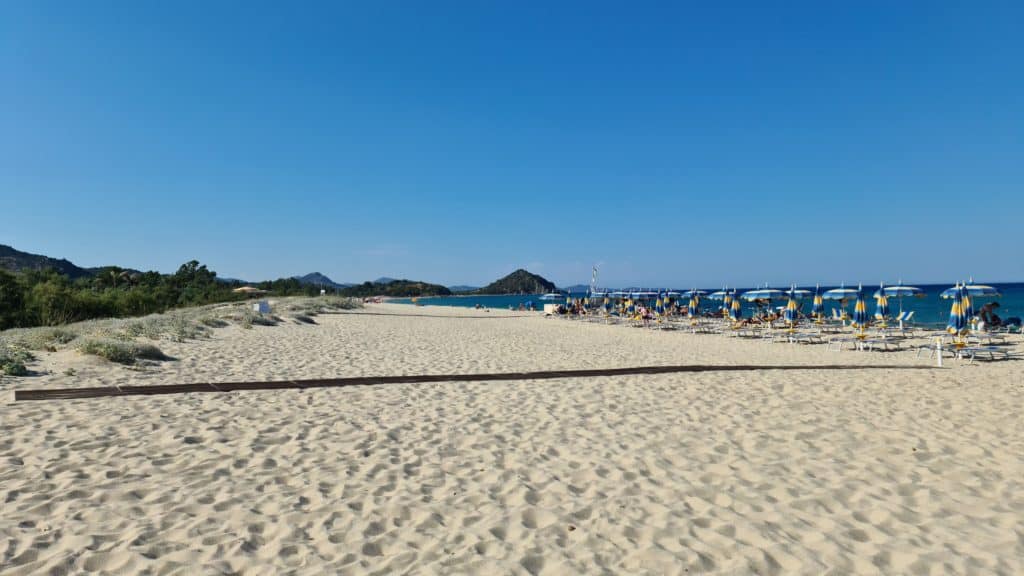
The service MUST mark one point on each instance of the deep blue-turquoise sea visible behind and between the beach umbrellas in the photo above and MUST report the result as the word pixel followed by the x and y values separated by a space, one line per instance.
pixel 929 311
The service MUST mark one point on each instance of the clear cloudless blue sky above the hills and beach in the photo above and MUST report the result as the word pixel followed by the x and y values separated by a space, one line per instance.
pixel 676 144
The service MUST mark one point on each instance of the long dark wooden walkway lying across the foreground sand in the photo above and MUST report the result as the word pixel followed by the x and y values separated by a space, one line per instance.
pixel 72 394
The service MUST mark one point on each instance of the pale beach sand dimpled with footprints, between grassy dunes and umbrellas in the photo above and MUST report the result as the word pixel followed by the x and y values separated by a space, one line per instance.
pixel 865 471
